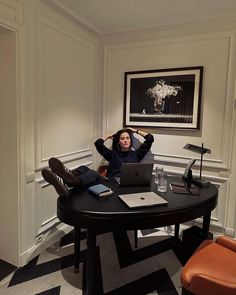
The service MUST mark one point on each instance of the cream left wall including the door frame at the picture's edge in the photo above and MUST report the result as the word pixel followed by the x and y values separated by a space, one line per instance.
pixel 50 110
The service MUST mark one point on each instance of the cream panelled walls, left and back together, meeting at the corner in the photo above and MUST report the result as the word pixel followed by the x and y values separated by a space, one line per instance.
pixel 54 109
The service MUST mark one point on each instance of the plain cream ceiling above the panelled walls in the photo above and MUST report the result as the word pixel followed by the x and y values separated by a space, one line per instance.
pixel 111 16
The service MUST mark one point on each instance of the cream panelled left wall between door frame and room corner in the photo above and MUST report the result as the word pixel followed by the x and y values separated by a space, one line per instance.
pixel 64 121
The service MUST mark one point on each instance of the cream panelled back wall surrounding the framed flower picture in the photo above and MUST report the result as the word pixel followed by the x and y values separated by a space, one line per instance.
pixel 215 51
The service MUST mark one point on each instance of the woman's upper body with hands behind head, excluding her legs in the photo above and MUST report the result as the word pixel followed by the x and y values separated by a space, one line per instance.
pixel 122 150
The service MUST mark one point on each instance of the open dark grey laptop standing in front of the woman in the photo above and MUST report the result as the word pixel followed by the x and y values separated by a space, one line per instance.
pixel 134 174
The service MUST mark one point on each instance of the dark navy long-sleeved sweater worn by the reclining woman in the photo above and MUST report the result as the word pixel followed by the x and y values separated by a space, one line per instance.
pixel 115 158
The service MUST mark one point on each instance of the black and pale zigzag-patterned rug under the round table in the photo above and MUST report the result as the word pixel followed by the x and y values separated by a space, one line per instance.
pixel 120 272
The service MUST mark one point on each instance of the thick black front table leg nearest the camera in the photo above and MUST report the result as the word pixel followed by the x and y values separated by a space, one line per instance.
pixel 91 263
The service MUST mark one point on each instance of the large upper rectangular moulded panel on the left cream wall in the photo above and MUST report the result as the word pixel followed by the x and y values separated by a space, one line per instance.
pixel 64 92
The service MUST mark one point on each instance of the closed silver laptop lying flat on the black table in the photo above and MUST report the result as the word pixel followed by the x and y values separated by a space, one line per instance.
pixel 145 199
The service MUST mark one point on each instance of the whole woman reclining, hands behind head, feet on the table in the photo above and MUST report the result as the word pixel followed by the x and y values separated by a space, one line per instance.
pixel 63 178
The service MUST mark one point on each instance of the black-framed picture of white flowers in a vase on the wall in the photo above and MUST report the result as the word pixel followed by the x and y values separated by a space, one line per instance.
pixel 169 98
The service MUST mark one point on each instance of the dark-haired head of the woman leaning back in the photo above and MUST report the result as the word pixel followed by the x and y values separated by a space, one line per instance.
pixel 122 140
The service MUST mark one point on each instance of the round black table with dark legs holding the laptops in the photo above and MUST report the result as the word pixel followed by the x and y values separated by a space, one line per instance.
pixel 84 210
